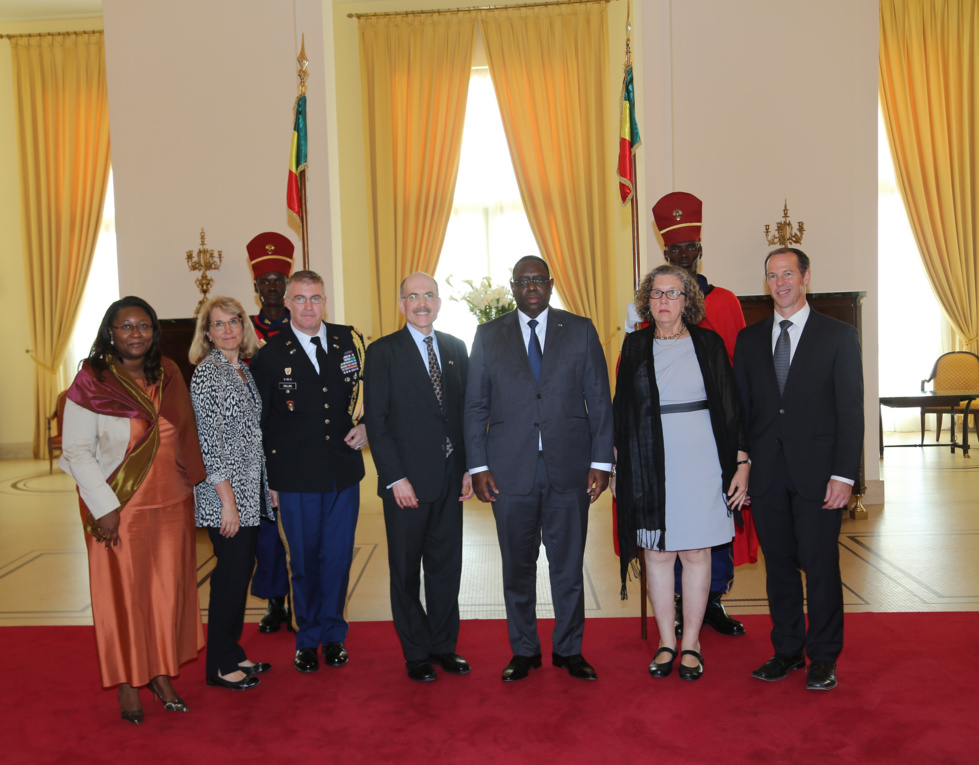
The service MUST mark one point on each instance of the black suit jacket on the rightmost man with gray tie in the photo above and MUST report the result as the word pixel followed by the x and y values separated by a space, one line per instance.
pixel 818 419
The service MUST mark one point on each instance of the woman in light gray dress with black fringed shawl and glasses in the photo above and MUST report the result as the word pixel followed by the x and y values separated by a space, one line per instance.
pixel 679 437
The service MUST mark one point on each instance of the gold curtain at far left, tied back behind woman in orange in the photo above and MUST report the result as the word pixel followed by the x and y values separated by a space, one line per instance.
pixel 63 146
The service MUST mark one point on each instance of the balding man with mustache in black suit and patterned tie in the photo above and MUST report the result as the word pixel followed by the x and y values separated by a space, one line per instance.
pixel 413 401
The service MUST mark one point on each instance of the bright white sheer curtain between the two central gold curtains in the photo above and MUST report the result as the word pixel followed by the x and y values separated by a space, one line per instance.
pixel 488 231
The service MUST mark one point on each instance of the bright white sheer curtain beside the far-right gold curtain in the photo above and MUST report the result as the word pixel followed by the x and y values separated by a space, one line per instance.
pixel 910 317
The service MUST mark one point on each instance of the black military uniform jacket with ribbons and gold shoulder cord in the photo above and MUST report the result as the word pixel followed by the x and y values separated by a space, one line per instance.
pixel 304 421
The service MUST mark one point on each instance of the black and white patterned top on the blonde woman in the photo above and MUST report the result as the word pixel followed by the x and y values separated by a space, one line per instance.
pixel 228 415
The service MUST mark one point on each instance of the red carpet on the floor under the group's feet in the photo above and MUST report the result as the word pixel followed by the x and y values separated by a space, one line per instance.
pixel 907 694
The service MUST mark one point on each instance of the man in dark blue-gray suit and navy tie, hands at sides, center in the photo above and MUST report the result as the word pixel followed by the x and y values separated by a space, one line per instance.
pixel 538 431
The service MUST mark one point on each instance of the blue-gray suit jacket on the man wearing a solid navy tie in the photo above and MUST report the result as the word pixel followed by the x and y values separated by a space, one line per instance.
pixel 570 409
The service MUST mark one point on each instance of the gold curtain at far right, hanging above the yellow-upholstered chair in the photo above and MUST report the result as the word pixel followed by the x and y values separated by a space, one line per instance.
pixel 929 98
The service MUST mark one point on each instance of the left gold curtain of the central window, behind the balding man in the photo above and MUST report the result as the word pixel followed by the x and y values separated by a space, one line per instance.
pixel 415 74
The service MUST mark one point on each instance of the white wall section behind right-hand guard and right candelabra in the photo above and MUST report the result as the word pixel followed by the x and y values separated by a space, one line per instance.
pixel 751 102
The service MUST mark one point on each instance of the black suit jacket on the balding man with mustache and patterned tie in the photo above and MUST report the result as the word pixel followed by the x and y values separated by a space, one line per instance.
pixel 405 426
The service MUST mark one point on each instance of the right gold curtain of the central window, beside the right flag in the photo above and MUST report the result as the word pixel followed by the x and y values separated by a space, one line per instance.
pixel 550 68
